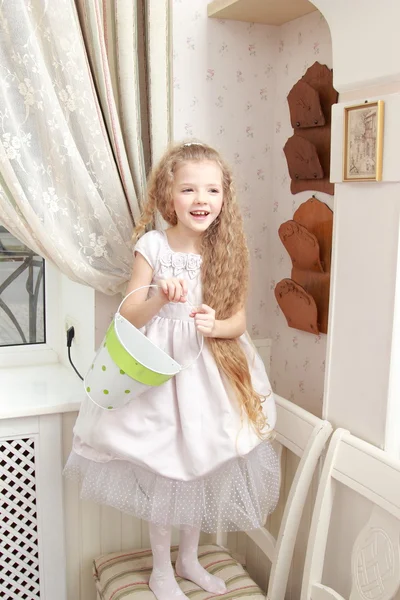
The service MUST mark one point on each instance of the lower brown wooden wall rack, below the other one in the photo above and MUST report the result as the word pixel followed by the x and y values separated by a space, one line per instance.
pixel 304 299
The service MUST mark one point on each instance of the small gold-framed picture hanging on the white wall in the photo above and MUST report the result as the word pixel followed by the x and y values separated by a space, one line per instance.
pixel 363 142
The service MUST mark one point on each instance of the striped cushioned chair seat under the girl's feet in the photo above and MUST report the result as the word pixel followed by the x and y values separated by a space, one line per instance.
pixel 125 575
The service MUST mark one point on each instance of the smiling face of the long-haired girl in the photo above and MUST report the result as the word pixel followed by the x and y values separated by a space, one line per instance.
pixel 197 194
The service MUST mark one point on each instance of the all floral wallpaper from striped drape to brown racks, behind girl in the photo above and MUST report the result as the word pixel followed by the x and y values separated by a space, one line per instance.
pixel 230 82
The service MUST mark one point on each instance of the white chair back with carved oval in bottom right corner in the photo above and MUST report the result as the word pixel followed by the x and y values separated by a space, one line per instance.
pixel 375 563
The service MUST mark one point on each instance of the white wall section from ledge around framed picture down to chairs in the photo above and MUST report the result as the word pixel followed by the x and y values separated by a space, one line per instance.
pixel 367 218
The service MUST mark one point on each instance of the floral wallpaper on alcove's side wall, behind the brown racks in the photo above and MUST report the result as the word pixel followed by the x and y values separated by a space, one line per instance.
pixel 298 358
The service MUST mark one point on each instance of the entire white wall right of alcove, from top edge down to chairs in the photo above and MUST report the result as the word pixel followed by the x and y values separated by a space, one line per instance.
pixel 361 370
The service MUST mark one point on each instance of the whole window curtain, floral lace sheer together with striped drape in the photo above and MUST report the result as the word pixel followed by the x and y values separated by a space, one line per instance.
pixel 72 168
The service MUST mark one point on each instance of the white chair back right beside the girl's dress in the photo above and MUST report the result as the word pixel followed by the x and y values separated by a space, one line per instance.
pixel 305 435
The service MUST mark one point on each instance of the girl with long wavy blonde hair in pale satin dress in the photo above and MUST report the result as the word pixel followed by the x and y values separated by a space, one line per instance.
pixel 193 452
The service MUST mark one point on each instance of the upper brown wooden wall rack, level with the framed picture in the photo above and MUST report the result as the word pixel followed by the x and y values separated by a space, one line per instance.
pixel 308 151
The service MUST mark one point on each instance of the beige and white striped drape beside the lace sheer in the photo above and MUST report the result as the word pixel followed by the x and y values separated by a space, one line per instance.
pixel 115 40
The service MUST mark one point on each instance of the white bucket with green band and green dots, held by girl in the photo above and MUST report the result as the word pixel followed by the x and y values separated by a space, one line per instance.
pixel 128 364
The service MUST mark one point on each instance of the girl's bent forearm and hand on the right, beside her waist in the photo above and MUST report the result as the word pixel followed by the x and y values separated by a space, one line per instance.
pixel 209 326
